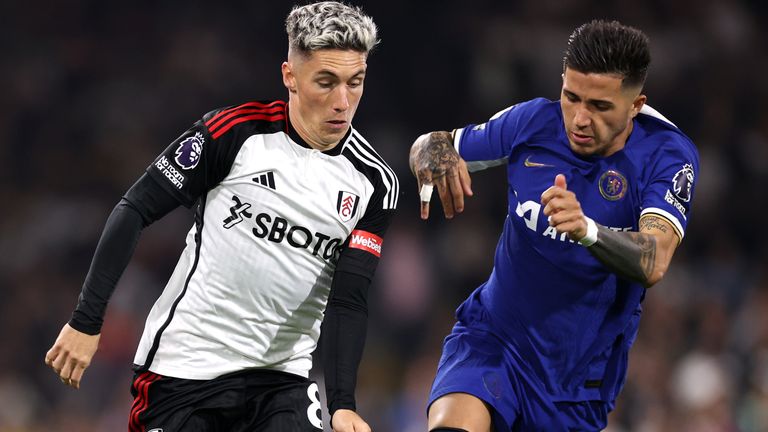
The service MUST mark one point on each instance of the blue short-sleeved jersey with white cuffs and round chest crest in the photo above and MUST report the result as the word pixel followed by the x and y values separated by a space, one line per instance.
pixel 560 309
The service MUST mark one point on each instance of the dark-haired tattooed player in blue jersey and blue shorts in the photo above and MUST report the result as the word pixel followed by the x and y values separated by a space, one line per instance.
pixel 600 190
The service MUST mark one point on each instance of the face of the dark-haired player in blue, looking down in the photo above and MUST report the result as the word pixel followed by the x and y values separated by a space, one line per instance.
pixel 598 112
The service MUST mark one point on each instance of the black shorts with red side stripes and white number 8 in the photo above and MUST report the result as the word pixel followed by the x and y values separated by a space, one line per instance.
pixel 255 400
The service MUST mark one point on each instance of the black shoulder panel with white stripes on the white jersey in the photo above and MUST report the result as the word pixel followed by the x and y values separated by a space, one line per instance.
pixel 366 160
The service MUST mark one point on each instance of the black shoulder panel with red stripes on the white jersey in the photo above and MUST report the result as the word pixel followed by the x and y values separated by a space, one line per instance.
pixel 254 117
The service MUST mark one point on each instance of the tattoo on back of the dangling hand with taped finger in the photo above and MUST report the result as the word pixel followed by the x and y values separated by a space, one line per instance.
pixel 433 157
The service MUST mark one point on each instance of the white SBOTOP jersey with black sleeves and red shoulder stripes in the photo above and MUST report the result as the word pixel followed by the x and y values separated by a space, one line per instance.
pixel 274 218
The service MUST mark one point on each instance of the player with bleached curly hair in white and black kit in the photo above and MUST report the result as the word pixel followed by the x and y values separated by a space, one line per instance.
pixel 292 205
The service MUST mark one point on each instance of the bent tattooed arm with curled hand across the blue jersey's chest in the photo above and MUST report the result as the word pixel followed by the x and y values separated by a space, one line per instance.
pixel 642 256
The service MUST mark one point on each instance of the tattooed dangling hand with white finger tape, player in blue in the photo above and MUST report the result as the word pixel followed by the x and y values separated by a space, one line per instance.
pixel 434 161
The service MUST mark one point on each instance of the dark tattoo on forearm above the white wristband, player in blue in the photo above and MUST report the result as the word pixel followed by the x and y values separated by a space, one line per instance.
pixel 631 255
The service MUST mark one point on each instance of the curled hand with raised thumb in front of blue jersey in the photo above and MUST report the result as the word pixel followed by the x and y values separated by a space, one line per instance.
pixel 564 210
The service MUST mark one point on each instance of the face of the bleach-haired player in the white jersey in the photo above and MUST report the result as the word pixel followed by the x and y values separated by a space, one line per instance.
pixel 325 88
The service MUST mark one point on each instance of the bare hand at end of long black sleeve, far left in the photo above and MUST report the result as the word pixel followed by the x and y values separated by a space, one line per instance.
pixel 71 354
